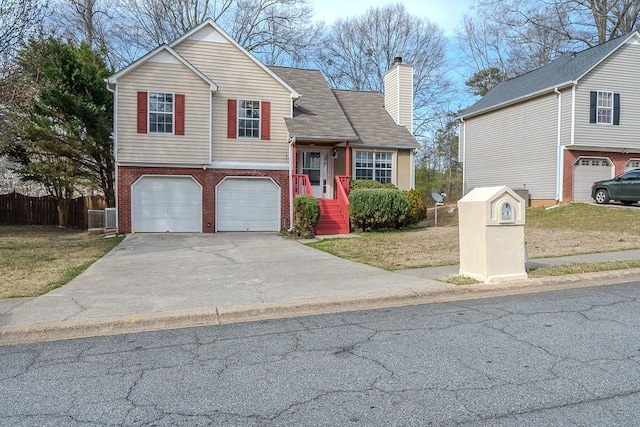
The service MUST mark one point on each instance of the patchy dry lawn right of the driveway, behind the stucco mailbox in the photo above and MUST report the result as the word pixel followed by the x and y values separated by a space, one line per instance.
pixel 571 229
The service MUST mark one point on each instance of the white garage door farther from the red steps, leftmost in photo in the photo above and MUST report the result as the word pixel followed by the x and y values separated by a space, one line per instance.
pixel 166 203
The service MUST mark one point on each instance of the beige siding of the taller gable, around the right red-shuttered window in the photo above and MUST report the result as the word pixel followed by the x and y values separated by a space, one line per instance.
pixel 238 77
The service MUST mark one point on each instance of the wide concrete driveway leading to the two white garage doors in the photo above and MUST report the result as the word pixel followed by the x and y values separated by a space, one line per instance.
pixel 165 273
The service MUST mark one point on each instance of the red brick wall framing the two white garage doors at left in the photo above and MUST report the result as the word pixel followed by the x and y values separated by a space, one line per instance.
pixel 208 179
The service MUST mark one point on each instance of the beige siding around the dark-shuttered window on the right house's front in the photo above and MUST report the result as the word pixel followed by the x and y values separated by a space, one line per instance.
pixel 618 74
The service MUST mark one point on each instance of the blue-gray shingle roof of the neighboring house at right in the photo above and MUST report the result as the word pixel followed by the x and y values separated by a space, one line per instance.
pixel 563 70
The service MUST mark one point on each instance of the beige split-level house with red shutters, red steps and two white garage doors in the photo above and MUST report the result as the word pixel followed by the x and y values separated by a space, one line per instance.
pixel 208 138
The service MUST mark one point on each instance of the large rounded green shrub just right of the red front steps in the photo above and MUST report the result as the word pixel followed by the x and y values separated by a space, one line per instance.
pixel 375 208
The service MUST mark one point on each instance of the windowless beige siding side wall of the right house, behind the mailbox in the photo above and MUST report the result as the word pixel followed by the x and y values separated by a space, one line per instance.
pixel 515 146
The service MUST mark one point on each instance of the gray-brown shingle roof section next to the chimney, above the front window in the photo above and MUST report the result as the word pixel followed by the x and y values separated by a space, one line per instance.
pixel 372 123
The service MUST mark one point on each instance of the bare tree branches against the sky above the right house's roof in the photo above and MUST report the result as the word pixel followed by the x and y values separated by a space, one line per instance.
pixel 516 36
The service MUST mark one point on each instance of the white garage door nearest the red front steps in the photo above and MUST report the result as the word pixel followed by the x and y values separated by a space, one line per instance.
pixel 247 204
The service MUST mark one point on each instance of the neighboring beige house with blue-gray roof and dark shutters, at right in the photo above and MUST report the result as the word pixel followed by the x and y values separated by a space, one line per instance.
pixel 557 129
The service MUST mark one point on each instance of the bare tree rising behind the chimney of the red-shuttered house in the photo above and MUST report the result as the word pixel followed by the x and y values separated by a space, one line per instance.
pixel 358 51
